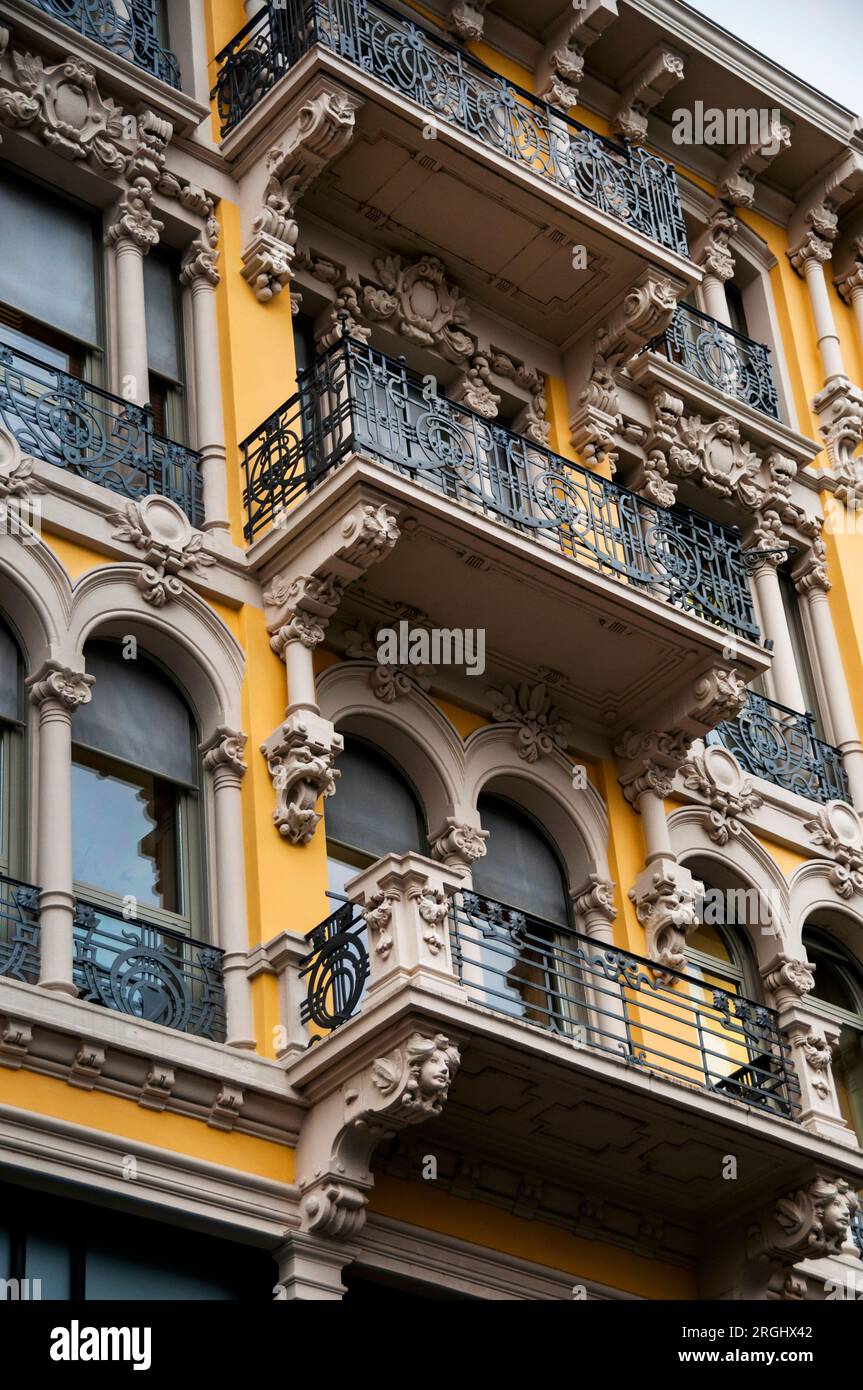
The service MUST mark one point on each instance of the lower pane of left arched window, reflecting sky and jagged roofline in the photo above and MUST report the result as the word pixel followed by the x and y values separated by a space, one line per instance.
pixel 126 833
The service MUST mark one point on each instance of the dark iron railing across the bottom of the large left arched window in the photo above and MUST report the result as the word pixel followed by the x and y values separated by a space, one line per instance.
pixel 149 972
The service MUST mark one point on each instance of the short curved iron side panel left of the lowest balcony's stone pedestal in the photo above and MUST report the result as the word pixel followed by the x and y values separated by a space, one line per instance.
pixel 337 970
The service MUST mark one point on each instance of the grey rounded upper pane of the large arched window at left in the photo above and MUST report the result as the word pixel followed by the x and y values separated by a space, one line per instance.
pixel 135 715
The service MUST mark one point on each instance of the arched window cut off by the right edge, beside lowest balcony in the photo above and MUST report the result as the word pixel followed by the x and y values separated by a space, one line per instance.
pixel 839 993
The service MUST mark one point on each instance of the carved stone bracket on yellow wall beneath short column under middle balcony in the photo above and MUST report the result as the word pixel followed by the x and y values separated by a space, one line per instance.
pixel 301 761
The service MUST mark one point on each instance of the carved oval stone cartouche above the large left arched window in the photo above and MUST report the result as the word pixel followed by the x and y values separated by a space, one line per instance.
pixel 172 547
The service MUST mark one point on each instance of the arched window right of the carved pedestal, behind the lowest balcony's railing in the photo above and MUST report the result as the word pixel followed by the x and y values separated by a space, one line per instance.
pixel 509 940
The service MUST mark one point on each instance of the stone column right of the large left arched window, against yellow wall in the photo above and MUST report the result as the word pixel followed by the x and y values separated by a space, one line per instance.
pixel 223 760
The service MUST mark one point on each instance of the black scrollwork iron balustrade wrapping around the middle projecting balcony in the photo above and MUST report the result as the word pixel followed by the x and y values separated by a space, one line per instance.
pixel 356 400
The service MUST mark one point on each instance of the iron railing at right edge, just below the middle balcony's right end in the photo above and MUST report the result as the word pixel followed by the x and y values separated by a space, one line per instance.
pixel 775 743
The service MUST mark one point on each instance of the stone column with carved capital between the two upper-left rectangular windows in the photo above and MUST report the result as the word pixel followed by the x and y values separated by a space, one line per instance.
pixel 133 236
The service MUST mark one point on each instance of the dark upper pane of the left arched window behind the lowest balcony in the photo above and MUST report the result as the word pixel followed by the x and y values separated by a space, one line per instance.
pixel 375 808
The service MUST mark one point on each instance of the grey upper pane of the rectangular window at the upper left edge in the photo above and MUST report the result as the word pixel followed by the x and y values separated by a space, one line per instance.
pixel 48 268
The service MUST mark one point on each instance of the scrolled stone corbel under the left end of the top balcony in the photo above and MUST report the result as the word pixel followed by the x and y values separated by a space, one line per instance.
pixel 320 127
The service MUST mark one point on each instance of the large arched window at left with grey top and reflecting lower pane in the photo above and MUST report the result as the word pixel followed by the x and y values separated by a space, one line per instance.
pixel 135 794
